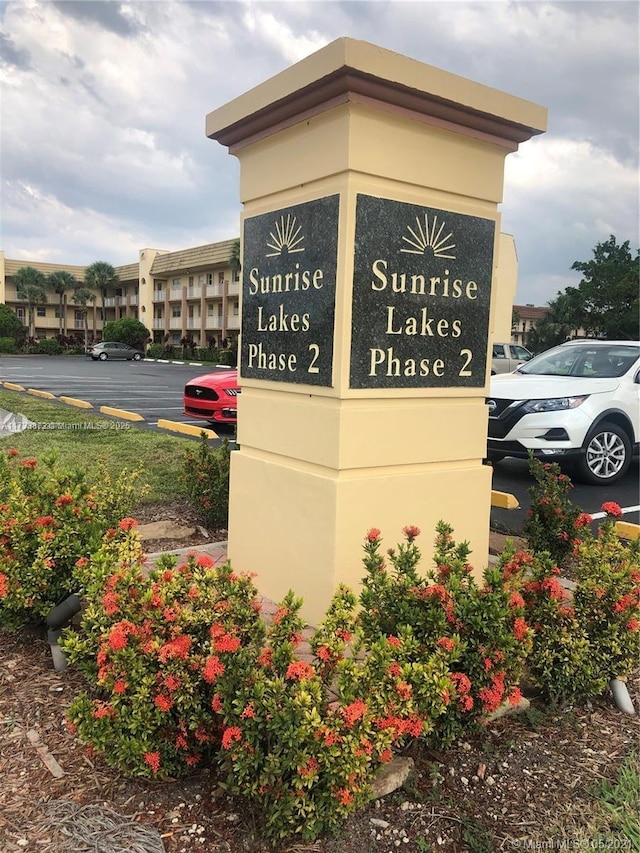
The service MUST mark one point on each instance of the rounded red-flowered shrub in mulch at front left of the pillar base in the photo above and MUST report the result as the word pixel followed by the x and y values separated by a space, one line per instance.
pixel 152 644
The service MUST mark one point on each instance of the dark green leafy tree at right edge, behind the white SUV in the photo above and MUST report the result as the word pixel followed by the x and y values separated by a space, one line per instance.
pixel 609 291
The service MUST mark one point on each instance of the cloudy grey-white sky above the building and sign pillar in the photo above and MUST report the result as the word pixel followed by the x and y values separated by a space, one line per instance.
pixel 103 105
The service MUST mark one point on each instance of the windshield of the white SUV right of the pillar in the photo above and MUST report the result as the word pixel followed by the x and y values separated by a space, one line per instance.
pixel 584 360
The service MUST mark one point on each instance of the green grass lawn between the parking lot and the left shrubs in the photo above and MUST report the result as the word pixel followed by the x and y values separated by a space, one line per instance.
pixel 159 455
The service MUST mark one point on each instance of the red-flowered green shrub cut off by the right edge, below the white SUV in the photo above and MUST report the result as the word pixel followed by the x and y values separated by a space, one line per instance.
pixel 584 638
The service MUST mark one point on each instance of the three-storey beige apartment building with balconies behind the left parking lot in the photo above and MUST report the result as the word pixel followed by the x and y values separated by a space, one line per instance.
pixel 192 293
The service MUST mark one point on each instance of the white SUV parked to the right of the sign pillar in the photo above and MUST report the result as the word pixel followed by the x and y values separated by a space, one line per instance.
pixel 578 402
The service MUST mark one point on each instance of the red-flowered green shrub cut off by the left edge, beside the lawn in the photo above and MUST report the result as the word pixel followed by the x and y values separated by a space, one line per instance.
pixel 49 518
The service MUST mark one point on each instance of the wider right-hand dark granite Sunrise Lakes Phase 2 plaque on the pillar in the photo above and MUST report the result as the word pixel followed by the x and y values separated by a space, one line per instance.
pixel 421 296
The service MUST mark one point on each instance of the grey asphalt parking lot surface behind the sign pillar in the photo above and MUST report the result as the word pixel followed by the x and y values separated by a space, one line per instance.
pixel 153 389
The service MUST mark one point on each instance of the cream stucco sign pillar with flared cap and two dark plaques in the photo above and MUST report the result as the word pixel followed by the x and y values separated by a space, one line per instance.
pixel 370 184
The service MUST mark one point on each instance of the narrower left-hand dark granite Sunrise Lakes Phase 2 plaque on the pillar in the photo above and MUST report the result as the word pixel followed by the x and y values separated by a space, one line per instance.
pixel 288 293
